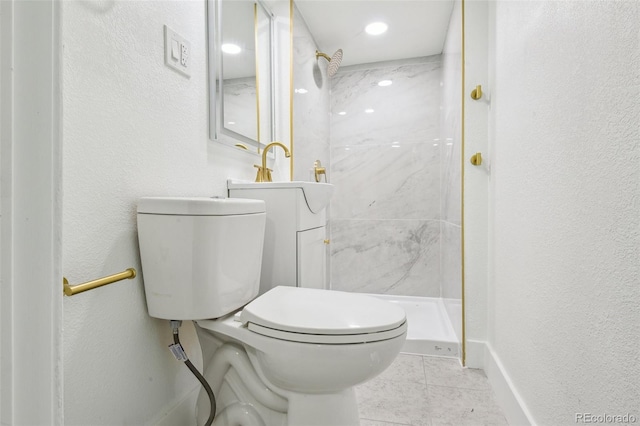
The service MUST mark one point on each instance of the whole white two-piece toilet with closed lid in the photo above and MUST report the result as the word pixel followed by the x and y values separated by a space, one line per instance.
pixel 287 356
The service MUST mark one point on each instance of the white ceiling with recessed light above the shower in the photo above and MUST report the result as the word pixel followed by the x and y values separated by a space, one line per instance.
pixel 416 27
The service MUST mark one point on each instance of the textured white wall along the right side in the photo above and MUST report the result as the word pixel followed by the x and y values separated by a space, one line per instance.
pixel 565 293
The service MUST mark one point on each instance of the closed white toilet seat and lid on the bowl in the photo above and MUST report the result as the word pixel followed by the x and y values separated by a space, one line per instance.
pixel 322 316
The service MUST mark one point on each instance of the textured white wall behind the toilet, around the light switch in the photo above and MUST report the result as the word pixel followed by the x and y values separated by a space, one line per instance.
pixel 132 127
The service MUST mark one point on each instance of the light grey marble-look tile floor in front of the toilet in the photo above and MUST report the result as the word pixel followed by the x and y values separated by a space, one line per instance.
pixel 428 391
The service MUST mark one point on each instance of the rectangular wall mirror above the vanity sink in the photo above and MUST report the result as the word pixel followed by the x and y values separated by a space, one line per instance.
pixel 241 74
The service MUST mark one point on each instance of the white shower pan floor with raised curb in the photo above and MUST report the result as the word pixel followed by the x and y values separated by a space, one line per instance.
pixel 430 332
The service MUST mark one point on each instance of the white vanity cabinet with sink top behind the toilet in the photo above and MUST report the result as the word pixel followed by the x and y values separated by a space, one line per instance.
pixel 295 244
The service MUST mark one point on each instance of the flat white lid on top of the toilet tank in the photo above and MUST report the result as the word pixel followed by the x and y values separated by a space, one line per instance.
pixel 199 206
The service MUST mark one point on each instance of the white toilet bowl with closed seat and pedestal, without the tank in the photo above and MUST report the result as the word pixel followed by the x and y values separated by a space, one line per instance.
pixel 311 347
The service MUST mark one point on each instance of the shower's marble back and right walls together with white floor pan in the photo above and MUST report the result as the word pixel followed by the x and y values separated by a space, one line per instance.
pixel 395 230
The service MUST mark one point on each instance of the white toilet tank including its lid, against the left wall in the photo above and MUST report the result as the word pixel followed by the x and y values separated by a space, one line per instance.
pixel 201 257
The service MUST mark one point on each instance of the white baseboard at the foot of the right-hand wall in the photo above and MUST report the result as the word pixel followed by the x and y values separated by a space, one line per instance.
pixel 481 355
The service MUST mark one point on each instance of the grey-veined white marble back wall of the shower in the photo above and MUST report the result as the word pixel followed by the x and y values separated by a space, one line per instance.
pixel 385 164
